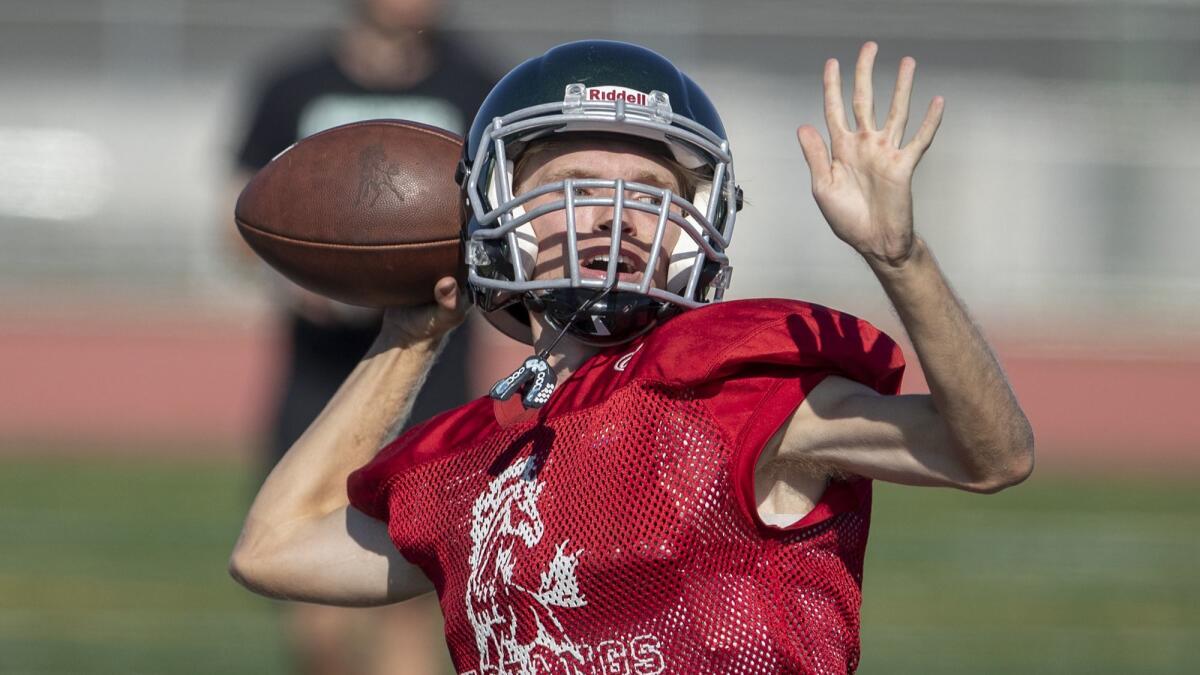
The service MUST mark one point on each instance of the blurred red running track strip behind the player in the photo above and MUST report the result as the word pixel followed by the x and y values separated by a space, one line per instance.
pixel 157 384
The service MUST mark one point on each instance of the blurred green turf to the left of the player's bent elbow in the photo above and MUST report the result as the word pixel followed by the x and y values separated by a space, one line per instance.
pixel 119 566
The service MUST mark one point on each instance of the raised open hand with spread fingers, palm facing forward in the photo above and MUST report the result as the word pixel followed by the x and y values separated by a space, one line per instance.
pixel 866 189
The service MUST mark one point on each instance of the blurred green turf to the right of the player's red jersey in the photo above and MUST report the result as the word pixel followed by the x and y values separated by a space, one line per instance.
pixel 1058 576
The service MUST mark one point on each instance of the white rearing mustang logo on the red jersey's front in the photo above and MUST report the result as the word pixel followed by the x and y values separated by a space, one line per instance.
pixel 517 630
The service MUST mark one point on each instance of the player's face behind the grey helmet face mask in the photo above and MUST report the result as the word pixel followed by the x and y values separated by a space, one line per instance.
pixel 607 160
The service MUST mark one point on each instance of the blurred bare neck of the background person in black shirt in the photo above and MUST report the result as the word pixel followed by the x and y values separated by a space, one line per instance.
pixel 385 59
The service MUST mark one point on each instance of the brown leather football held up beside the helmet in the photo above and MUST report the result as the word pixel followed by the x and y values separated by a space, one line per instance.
pixel 367 213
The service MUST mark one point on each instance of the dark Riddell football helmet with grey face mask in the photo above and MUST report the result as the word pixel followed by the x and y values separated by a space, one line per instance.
pixel 604 89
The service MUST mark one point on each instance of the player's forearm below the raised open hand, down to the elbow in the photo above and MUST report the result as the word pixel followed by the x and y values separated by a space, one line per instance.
pixel 975 402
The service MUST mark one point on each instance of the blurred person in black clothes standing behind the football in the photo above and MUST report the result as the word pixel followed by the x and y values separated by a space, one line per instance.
pixel 389 62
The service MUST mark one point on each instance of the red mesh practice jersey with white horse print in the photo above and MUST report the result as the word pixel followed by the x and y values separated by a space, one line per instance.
pixel 615 530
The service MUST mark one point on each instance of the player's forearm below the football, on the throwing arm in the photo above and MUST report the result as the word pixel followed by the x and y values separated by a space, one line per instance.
pixel 310 481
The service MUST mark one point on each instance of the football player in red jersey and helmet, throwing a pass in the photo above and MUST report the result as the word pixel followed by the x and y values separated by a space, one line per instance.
pixel 669 483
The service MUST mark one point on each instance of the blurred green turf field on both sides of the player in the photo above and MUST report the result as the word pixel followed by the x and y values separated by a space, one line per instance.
pixel 119 566
